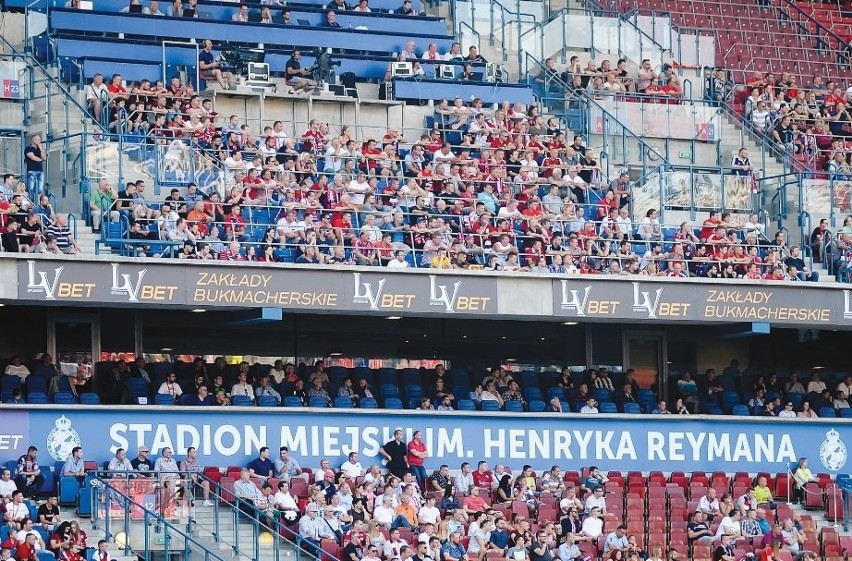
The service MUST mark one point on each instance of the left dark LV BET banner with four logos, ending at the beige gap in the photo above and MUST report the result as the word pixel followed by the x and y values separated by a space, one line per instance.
pixel 252 287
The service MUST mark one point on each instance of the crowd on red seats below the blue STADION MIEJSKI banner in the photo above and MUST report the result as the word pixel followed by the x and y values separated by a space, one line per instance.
pixel 407 512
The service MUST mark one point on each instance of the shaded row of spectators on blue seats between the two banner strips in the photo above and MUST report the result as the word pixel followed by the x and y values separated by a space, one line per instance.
pixel 597 390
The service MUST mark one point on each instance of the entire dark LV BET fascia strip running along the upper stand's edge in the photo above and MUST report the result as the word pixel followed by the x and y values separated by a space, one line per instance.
pixel 378 291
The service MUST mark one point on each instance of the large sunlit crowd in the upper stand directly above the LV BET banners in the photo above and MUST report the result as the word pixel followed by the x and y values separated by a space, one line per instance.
pixel 508 193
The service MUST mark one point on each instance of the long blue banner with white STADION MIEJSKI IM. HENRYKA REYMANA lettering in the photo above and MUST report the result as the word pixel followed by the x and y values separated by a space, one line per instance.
pixel 572 441
